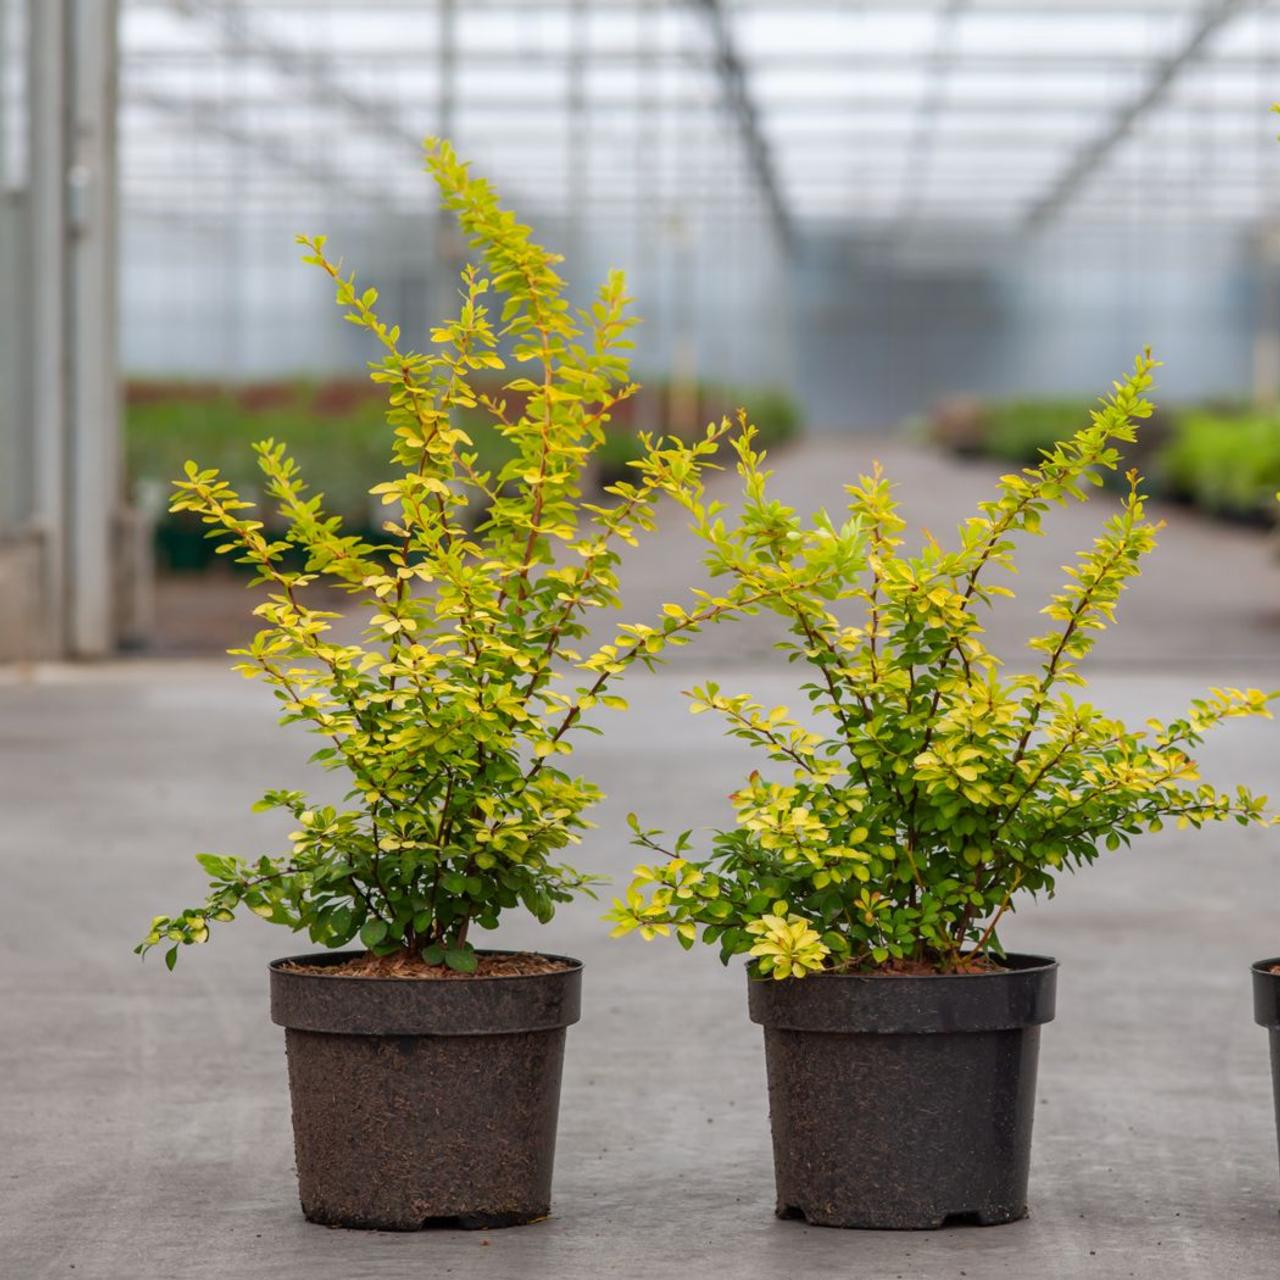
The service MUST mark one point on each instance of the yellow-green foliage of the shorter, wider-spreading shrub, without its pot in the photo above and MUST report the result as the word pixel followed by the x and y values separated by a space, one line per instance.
pixel 938 789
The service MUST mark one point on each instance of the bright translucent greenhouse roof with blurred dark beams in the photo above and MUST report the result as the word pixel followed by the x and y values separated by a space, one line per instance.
pixel 949 116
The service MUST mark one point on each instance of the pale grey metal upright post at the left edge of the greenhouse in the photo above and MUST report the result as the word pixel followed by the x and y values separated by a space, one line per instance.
pixel 75 418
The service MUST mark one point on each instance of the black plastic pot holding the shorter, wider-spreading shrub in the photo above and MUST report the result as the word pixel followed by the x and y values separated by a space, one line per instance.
pixel 904 1103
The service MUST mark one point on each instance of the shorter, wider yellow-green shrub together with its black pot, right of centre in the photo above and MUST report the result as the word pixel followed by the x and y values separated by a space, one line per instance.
pixel 925 797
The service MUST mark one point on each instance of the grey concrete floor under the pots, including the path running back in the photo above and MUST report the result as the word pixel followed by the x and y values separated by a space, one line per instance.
pixel 144 1117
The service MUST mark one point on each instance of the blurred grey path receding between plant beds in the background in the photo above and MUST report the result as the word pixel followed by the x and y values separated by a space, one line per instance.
pixel 1210 592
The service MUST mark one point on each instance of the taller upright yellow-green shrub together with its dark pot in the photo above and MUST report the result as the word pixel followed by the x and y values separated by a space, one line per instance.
pixel 424 1071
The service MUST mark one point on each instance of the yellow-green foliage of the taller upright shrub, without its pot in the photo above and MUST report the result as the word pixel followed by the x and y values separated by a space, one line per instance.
pixel 452 716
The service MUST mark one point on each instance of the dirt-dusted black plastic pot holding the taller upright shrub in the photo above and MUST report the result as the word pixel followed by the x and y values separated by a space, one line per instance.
pixel 422 1103
